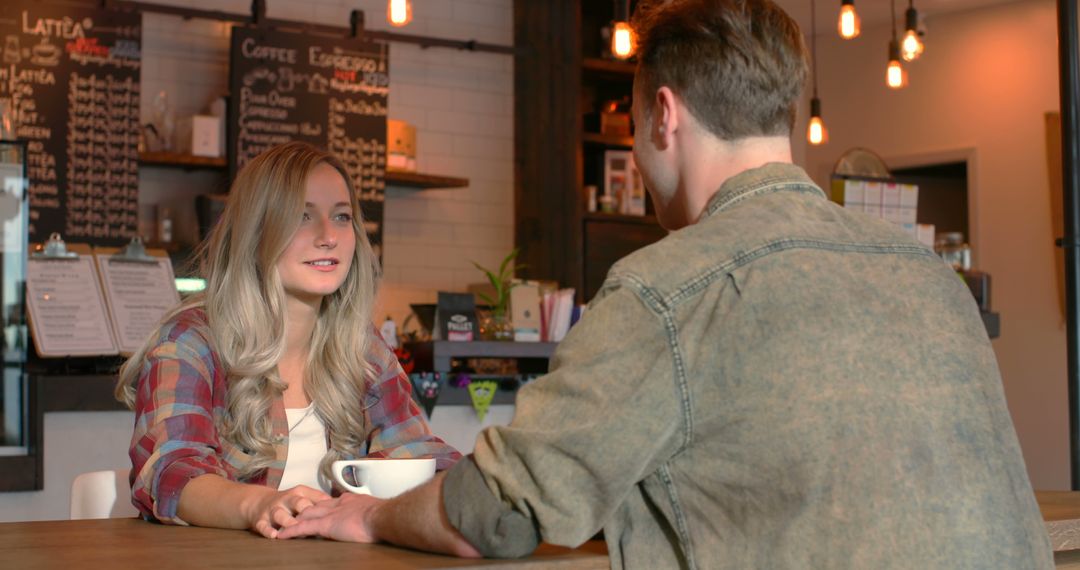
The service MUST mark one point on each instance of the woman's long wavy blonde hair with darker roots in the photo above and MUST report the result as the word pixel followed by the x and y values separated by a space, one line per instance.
pixel 245 303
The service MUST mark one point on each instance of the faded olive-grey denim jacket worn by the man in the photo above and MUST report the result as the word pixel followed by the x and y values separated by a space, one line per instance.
pixel 784 385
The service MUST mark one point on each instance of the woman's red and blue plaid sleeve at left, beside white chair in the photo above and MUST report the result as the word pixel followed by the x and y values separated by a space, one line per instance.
pixel 175 439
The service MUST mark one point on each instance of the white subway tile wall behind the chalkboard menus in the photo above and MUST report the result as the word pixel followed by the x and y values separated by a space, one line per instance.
pixel 462 104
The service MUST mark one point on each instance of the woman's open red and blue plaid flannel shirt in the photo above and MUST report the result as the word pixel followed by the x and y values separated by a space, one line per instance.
pixel 182 398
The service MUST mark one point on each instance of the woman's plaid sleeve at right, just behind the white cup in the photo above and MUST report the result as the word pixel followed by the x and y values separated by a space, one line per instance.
pixel 398 427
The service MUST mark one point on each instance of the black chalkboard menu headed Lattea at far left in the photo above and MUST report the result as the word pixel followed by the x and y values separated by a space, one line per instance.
pixel 72 77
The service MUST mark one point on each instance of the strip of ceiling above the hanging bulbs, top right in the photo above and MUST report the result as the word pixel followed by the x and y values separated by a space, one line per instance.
pixel 876 12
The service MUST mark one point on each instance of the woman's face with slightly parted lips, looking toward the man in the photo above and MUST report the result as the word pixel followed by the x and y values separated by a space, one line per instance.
pixel 319 257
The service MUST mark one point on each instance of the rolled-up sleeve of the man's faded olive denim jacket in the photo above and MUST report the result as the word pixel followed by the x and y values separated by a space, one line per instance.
pixel 604 419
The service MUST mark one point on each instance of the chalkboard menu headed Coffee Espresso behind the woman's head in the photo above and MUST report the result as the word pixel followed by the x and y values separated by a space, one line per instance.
pixel 329 92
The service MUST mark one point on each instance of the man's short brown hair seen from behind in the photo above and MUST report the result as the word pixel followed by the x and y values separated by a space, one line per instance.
pixel 738 65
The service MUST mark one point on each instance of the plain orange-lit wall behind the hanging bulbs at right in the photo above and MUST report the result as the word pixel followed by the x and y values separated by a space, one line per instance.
pixel 980 91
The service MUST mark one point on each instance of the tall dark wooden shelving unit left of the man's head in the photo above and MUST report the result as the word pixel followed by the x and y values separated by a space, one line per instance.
pixel 560 87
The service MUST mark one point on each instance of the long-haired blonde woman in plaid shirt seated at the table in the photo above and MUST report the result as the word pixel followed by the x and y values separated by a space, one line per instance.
pixel 248 393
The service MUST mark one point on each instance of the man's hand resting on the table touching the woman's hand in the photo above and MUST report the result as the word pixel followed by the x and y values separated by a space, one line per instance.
pixel 346 519
